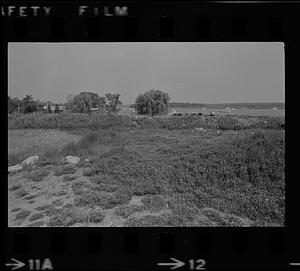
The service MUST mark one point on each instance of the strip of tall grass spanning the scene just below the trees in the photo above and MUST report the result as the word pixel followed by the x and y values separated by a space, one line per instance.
pixel 98 121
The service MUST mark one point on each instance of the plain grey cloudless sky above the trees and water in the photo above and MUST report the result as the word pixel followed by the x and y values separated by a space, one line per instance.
pixel 207 72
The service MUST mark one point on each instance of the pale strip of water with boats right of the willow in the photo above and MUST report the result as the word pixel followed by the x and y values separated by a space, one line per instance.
pixel 249 112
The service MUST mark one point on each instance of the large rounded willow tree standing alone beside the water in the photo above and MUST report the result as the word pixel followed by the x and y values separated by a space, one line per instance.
pixel 152 102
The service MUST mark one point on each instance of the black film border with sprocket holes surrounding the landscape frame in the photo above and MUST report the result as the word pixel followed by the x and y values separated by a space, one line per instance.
pixel 137 248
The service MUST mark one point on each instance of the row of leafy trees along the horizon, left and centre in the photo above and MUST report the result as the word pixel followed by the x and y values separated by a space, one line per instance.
pixel 152 102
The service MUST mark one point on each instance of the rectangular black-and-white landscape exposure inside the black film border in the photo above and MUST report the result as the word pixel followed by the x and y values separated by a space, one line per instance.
pixel 149 134
